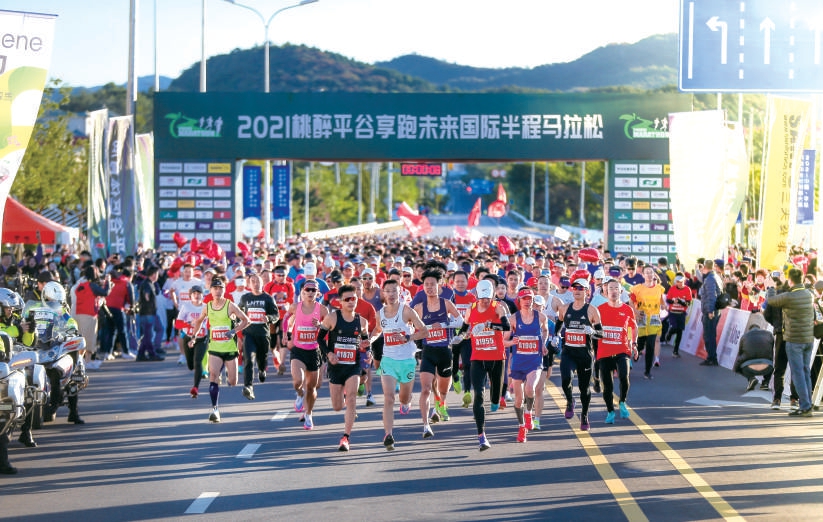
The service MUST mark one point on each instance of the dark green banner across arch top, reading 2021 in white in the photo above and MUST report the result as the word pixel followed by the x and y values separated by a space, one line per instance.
pixel 414 126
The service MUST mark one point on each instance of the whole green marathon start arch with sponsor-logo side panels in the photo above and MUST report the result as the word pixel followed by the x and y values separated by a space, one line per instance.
pixel 200 136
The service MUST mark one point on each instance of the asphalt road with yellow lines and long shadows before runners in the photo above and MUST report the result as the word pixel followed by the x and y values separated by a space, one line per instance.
pixel 148 452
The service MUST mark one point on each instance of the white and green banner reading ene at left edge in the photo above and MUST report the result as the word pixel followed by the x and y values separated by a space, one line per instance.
pixel 25 52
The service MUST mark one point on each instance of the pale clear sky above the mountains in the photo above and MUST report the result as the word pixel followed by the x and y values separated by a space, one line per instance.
pixel 91 36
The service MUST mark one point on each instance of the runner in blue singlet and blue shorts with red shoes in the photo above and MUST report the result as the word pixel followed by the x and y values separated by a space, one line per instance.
pixel 528 336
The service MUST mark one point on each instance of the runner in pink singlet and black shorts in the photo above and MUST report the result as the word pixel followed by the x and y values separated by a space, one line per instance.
pixel 304 318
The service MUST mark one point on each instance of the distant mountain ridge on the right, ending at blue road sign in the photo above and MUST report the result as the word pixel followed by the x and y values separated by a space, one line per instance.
pixel 648 64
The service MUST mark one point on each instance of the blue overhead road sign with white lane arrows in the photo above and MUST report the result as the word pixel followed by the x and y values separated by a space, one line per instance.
pixel 752 45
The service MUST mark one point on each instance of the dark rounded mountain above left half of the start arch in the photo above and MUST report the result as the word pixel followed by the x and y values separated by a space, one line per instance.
pixel 296 68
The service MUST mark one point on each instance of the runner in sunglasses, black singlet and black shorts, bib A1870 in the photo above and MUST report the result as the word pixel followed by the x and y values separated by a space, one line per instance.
pixel 344 339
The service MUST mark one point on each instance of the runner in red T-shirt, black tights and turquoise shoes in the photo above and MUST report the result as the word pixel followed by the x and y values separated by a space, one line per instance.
pixel 615 347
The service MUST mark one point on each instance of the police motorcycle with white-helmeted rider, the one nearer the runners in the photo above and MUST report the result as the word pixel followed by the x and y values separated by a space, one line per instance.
pixel 58 346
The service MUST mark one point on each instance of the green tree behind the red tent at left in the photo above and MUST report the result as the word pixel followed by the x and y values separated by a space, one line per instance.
pixel 55 166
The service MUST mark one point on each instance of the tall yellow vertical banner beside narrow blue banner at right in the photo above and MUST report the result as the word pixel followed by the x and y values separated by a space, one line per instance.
pixel 787 125
